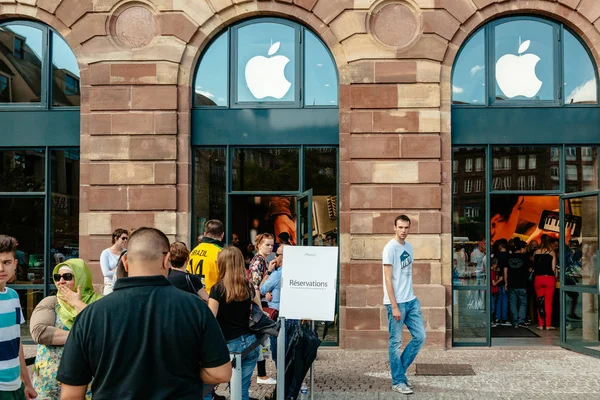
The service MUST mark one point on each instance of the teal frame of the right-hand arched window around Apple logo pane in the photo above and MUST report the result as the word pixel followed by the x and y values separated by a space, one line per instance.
pixel 558 64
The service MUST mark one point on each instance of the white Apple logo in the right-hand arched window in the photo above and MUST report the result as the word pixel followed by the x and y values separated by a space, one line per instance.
pixel 516 74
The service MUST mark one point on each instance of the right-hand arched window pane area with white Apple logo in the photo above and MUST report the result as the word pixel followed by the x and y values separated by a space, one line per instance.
pixel 524 61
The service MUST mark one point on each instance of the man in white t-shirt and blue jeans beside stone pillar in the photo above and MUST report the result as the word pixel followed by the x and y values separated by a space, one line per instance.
pixel 402 305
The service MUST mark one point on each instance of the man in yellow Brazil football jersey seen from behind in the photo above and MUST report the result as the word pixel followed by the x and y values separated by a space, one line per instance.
pixel 203 259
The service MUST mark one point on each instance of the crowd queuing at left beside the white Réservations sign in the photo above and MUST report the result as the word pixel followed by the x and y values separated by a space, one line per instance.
pixel 82 341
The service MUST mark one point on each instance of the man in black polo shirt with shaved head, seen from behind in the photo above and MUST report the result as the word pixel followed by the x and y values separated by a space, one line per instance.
pixel 148 339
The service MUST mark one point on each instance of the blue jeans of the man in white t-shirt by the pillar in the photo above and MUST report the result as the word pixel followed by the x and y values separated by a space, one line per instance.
pixel 411 315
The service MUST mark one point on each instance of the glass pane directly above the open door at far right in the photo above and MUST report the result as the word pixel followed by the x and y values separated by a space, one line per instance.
pixel 581 169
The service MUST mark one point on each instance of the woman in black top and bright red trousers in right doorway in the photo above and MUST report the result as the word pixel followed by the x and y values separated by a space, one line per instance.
pixel 544 283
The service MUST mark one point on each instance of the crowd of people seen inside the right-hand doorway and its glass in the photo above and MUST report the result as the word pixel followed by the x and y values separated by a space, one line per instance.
pixel 523 278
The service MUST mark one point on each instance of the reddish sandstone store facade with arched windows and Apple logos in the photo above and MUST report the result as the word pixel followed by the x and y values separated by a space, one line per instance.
pixel 318 121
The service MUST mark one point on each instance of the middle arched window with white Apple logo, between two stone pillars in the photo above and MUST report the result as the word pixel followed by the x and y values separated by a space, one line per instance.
pixel 266 62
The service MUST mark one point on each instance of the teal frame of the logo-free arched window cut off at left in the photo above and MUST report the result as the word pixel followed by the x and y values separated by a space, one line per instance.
pixel 45 102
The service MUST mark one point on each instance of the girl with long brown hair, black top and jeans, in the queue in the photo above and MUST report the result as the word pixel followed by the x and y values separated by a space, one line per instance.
pixel 230 301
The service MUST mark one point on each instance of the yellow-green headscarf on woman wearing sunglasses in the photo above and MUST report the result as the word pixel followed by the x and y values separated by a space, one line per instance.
pixel 83 277
